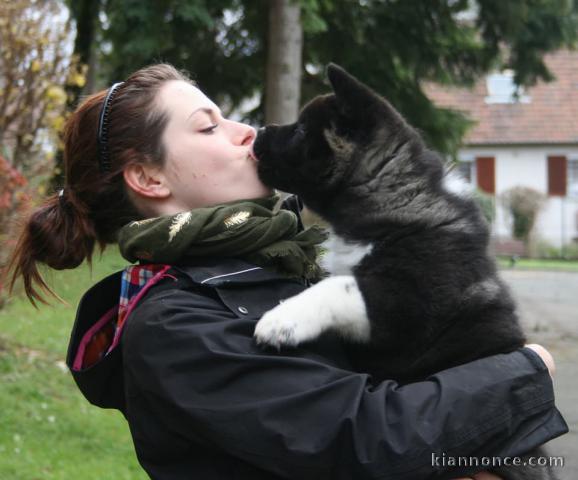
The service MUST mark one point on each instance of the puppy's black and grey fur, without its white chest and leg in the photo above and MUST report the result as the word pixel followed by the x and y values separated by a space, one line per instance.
pixel 432 293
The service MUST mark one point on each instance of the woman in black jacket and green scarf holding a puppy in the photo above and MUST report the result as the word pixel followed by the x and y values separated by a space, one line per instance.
pixel 152 164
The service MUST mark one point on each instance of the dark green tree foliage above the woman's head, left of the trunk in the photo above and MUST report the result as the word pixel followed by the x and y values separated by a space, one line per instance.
pixel 208 38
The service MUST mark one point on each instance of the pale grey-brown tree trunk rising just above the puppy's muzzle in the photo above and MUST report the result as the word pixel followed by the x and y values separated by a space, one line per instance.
pixel 285 46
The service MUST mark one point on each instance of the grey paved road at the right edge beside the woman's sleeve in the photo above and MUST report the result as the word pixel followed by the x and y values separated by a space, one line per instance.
pixel 548 306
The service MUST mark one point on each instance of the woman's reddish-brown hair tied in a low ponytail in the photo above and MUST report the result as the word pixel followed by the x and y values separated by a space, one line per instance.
pixel 63 231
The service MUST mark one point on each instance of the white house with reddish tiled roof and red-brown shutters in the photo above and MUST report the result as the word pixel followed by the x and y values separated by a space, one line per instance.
pixel 529 139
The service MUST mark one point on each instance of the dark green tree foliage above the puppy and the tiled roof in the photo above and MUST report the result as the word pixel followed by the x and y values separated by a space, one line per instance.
pixel 396 46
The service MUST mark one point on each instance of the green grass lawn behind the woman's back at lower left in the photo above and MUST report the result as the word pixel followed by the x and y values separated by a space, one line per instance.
pixel 48 430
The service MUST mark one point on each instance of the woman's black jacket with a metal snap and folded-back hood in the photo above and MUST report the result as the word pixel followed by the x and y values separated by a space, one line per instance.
pixel 204 402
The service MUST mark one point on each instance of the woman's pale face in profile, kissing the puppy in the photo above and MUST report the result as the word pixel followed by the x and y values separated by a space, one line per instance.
pixel 207 156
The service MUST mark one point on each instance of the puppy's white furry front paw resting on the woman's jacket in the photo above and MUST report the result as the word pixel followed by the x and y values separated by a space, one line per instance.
pixel 285 325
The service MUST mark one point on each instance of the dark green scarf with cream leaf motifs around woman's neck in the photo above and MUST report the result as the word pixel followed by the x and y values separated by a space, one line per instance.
pixel 252 230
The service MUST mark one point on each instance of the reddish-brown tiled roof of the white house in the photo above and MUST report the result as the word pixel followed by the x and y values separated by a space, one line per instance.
pixel 550 117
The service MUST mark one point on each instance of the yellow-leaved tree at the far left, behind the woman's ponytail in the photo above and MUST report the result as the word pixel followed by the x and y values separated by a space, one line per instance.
pixel 34 66
